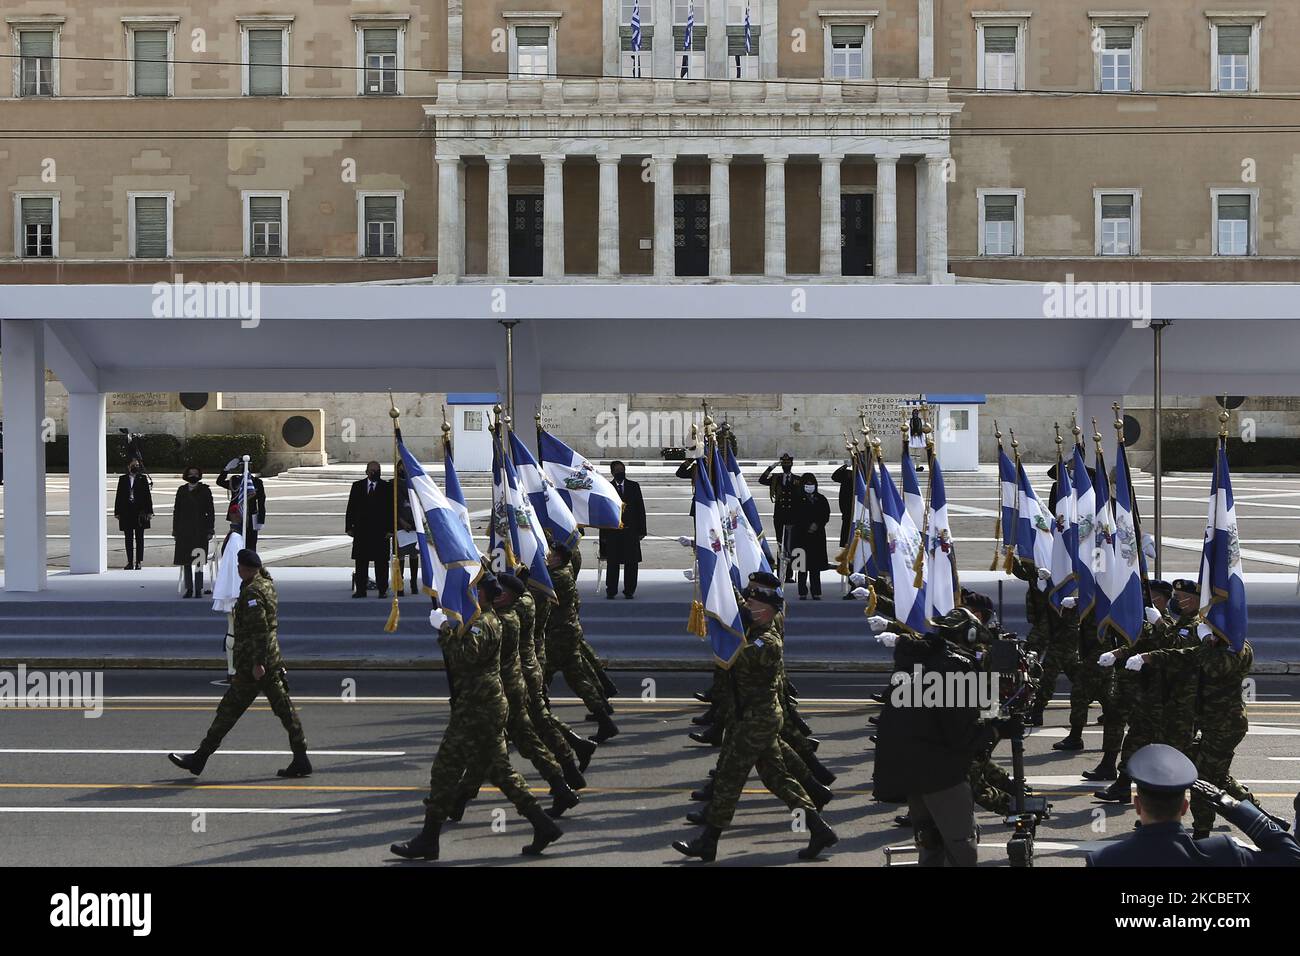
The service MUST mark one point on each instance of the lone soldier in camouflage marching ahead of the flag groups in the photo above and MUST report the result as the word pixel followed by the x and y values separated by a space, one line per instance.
pixel 259 669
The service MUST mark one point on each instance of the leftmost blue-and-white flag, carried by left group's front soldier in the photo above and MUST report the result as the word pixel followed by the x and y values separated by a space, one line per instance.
pixel 454 565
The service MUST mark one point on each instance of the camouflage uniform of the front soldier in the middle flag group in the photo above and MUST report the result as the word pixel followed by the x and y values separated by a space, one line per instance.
pixel 755 736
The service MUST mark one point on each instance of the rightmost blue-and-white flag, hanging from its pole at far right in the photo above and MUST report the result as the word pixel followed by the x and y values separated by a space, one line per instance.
pixel 1223 585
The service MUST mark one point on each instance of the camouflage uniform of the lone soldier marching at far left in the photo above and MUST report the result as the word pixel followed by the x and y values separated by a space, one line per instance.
pixel 255 643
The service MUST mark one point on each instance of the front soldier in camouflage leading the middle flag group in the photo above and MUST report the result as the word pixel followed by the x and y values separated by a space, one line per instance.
pixel 757 681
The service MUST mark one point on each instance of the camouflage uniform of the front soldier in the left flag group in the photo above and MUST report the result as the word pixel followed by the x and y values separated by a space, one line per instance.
pixel 474 746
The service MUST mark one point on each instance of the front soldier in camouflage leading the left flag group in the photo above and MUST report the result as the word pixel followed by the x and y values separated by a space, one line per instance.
pixel 474 746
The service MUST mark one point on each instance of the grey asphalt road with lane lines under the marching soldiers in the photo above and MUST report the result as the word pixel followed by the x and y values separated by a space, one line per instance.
pixel 77 791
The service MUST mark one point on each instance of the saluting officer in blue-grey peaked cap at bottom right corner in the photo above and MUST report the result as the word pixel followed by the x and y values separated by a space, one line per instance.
pixel 1163 776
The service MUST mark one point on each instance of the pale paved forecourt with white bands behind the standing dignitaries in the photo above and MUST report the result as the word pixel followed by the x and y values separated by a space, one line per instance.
pixel 306 521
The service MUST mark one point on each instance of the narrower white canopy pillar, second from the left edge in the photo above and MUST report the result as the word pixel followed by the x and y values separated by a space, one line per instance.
pixel 88 483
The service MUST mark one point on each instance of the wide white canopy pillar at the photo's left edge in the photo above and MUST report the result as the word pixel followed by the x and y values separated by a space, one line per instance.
pixel 23 377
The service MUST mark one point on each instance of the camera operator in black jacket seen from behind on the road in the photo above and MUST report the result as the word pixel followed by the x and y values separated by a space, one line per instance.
pixel 926 751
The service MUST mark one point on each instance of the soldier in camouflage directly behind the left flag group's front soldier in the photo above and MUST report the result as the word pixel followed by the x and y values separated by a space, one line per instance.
pixel 564 780
